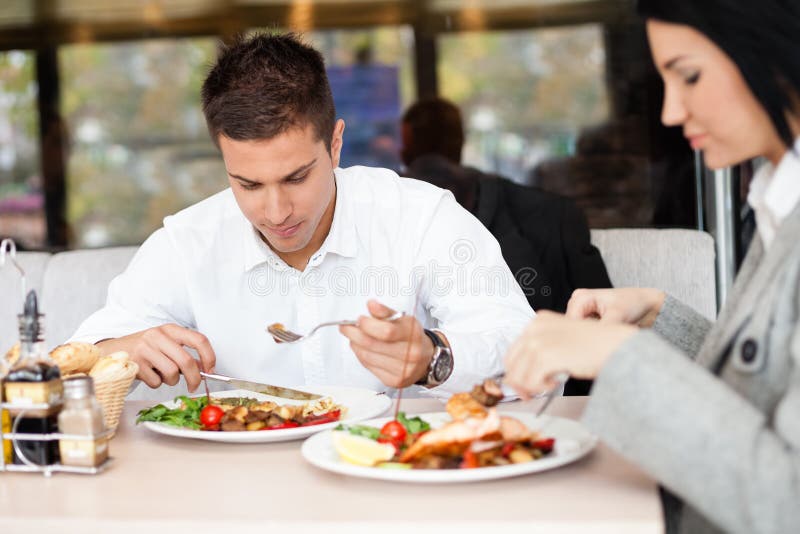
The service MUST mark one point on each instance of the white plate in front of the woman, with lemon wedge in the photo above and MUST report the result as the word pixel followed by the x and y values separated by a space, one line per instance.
pixel 573 442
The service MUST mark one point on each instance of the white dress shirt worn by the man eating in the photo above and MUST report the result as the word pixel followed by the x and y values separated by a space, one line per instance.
pixel 391 237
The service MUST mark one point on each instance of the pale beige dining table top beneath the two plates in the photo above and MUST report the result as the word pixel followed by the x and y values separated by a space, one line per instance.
pixel 159 483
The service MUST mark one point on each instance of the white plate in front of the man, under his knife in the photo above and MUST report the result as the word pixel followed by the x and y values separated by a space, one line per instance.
pixel 359 404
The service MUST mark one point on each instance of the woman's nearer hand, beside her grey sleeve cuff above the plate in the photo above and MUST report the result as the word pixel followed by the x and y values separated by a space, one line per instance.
pixel 553 343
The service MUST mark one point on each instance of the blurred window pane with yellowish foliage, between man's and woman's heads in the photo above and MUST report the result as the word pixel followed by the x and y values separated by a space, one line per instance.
pixel 525 95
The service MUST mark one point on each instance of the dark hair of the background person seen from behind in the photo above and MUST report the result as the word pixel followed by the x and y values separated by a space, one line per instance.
pixel 435 127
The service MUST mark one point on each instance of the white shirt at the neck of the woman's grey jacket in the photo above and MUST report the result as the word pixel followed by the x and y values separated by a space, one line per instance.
pixel 774 193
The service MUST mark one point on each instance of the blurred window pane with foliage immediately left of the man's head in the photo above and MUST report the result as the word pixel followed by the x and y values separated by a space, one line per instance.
pixel 139 147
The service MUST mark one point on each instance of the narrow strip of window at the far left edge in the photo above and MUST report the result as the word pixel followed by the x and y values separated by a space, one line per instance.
pixel 21 194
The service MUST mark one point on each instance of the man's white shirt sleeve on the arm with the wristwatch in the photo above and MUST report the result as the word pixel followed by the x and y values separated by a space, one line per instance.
pixel 471 295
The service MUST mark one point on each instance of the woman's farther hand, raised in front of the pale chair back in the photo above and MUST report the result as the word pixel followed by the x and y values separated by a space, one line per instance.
pixel 630 305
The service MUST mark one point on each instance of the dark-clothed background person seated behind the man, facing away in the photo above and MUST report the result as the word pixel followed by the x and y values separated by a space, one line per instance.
pixel 544 237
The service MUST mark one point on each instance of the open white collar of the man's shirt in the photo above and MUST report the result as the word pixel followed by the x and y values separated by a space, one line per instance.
pixel 341 239
